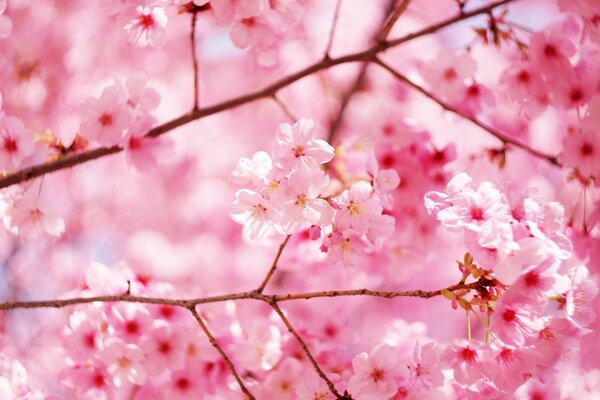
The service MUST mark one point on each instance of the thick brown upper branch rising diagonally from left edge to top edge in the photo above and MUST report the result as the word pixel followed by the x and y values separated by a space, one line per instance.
pixel 29 173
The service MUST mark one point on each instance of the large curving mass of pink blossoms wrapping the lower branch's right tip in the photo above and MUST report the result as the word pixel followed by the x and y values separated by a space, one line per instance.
pixel 530 324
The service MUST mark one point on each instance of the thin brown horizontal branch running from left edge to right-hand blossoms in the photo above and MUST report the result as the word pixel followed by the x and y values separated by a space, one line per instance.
pixel 187 303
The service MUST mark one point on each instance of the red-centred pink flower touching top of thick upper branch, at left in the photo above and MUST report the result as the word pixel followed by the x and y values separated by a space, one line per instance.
pixel 104 120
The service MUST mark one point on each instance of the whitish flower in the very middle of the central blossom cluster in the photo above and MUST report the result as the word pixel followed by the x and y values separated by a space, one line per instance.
pixel 304 188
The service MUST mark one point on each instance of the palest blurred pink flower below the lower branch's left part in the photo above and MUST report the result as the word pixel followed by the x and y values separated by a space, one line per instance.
pixel 124 362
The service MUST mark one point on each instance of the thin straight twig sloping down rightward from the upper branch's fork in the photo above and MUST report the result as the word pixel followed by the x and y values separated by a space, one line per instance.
pixel 494 132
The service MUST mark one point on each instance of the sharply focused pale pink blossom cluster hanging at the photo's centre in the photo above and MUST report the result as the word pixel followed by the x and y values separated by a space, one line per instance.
pixel 292 191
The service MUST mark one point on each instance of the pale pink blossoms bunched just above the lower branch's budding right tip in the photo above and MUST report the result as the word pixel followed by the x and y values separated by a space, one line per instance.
pixel 506 233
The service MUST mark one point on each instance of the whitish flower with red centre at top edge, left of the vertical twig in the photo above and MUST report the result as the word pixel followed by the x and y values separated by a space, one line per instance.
pixel 147 27
